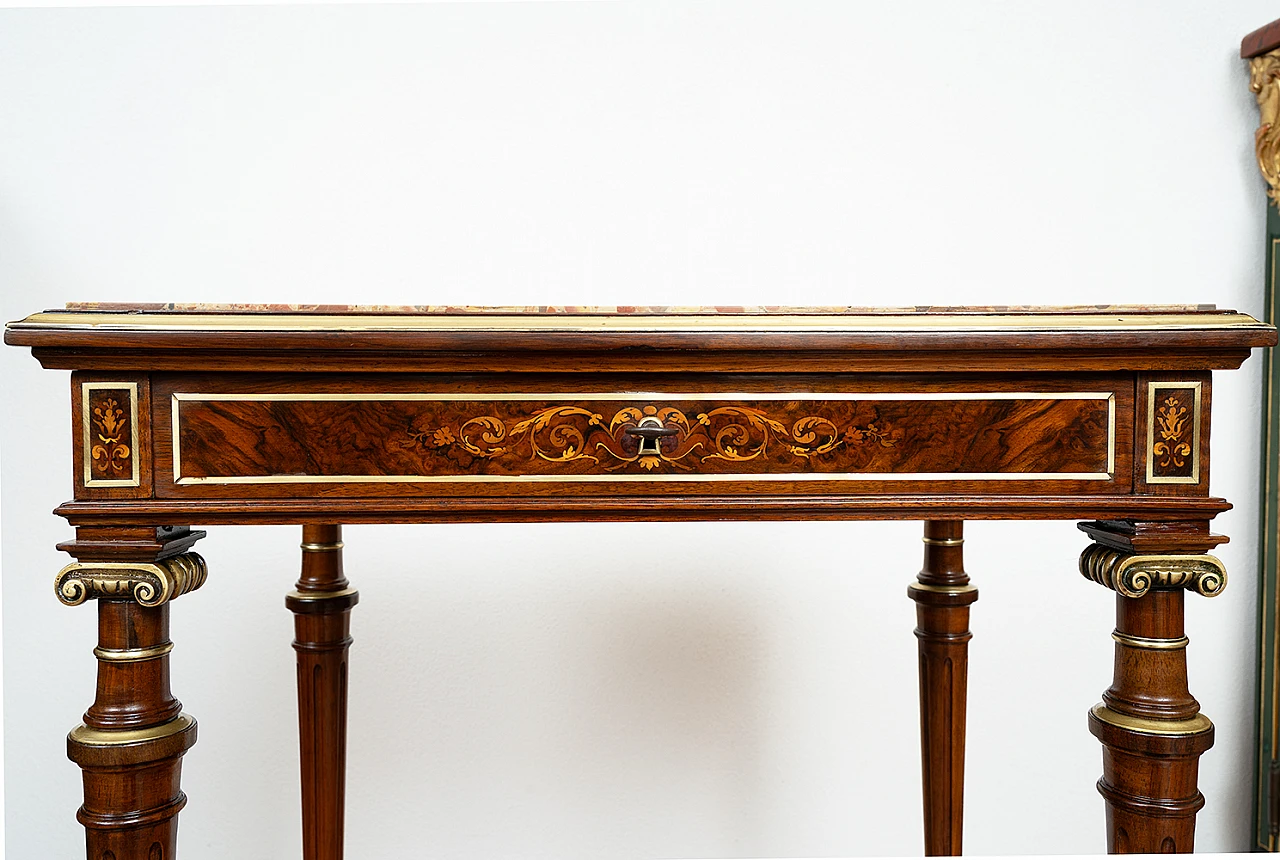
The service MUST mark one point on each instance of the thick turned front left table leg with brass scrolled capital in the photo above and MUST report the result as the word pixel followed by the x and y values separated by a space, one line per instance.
pixel 131 744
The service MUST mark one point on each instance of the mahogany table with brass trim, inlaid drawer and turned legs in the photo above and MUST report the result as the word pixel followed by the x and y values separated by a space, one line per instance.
pixel 214 415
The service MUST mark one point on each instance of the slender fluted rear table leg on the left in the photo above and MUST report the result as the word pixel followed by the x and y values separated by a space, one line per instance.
pixel 322 614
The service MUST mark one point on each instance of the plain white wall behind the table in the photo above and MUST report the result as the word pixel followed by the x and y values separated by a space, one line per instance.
pixel 627 690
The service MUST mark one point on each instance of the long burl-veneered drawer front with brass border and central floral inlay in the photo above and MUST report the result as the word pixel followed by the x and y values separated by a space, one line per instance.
pixel 369 440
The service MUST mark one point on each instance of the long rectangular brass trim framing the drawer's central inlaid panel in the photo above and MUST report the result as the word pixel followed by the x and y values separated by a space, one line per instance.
pixel 179 397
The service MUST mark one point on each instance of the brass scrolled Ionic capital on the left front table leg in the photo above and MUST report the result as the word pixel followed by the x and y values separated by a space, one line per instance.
pixel 150 585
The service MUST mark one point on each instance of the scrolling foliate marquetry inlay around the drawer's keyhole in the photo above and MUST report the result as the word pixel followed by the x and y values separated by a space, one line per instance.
pixel 563 434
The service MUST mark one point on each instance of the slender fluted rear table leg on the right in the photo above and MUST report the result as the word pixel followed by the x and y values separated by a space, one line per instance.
pixel 943 597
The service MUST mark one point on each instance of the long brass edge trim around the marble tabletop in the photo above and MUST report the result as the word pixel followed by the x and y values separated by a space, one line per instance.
pixel 518 323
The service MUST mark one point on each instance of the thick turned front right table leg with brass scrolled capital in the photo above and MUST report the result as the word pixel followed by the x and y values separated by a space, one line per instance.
pixel 1151 729
